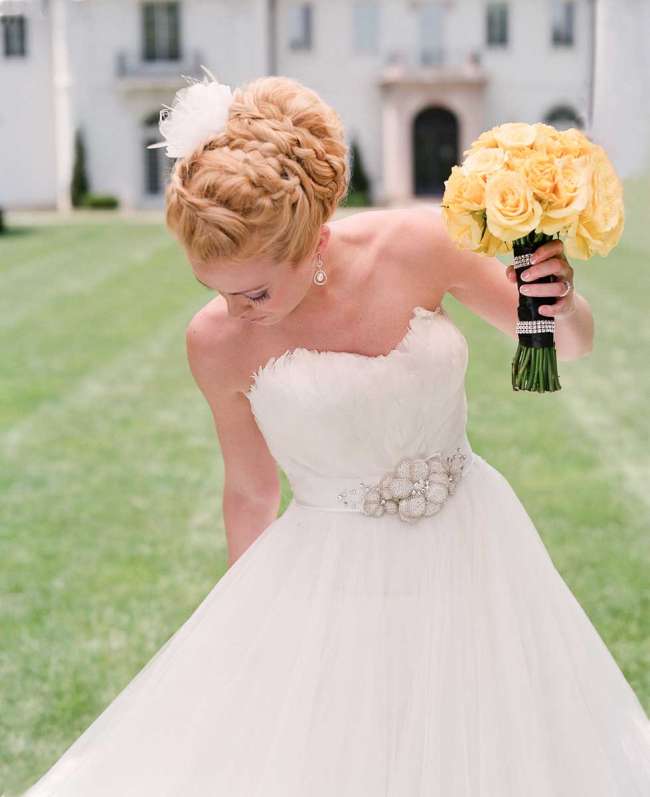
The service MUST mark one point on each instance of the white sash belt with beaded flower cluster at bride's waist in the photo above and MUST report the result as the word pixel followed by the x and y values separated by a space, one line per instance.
pixel 417 487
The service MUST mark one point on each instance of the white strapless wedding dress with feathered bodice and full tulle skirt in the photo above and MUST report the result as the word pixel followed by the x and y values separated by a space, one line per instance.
pixel 347 654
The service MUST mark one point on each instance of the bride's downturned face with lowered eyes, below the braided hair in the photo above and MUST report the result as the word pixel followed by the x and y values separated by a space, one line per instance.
pixel 260 290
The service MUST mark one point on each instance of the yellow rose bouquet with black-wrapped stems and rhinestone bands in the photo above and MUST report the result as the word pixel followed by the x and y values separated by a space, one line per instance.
pixel 519 186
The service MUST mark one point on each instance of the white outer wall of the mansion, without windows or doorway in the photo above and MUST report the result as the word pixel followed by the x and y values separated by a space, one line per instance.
pixel 526 80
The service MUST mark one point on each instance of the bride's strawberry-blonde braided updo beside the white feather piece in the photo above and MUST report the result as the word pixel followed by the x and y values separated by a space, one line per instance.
pixel 266 183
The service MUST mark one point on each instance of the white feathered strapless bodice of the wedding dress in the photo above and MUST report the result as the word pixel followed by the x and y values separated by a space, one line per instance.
pixel 332 418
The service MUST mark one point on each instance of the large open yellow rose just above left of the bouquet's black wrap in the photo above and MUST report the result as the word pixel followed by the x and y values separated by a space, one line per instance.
pixel 512 210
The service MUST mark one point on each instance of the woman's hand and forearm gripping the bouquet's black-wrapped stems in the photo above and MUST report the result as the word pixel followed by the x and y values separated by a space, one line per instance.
pixel 574 322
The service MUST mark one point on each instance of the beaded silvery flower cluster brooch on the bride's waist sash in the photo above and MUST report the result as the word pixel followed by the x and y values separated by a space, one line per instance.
pixel 416 488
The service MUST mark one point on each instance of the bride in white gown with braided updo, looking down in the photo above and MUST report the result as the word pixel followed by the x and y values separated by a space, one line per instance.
pixel 400 629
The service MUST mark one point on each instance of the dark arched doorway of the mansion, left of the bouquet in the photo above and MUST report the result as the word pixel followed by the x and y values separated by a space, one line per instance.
pixel 435 149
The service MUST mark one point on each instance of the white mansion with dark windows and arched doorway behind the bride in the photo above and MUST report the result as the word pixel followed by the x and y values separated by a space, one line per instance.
pixel 415 82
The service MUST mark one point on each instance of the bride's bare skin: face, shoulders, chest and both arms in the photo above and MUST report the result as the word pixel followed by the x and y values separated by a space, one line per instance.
pixel 374 267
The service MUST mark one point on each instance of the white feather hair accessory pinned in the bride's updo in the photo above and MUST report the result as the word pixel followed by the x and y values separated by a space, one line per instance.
pixel 198 112
